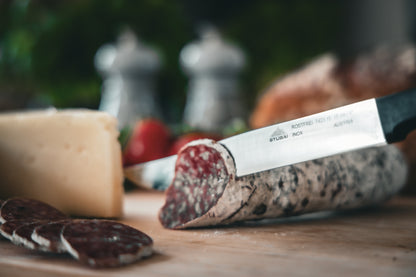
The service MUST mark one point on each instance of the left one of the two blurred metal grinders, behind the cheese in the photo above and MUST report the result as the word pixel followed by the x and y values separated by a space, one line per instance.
pixel 128 69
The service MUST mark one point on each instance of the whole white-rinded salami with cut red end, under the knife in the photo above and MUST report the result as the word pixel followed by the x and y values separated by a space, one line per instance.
pixel 205 190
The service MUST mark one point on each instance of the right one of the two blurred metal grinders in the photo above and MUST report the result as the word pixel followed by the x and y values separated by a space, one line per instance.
pixel 213 96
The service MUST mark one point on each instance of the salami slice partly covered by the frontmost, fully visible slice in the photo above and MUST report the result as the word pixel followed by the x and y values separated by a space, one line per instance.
pixel 48 236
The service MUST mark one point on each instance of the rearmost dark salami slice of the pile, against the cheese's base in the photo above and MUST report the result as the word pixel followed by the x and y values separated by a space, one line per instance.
pixel 28 209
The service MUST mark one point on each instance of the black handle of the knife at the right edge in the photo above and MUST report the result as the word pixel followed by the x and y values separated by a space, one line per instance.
pixel 397 114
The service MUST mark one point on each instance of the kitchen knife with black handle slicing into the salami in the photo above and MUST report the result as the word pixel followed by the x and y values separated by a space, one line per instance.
pixel 372 122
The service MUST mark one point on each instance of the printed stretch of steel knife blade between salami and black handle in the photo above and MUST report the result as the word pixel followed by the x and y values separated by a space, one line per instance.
pixel 331 132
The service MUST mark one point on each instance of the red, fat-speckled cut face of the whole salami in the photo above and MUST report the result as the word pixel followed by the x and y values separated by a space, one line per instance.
pixel 203 169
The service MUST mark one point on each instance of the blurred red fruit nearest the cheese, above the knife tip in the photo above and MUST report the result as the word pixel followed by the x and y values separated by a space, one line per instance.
pixel 150 140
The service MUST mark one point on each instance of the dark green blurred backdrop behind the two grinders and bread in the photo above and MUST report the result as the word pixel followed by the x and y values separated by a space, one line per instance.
pixel 47 47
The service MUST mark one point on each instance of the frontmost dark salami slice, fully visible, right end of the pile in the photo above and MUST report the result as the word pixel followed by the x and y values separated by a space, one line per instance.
pixel 104 243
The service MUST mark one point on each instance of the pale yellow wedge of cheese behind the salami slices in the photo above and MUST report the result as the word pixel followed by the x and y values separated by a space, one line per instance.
pixel 70 159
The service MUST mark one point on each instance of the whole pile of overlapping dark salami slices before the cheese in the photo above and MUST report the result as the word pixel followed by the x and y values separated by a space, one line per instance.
pixel 97 243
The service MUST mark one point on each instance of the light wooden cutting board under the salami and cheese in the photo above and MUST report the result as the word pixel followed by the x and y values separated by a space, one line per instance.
pixel 376 242
